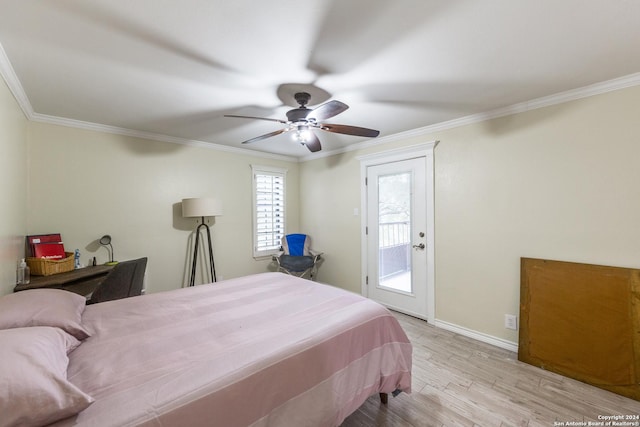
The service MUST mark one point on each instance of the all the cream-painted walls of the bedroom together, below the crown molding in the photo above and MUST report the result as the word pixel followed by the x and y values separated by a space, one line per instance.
pixel 559 182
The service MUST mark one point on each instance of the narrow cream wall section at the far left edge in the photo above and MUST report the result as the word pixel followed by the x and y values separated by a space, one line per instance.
pixel 13 187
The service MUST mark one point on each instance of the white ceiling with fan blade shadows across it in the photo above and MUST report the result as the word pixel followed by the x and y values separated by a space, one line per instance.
pixel 173 68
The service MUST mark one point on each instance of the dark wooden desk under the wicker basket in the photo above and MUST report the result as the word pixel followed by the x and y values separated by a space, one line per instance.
pixel 82 281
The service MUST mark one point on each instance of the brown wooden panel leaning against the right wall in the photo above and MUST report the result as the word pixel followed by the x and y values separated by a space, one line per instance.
pixel 582 321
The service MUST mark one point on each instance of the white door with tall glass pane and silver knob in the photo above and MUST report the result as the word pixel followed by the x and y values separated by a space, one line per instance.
pixel 396 242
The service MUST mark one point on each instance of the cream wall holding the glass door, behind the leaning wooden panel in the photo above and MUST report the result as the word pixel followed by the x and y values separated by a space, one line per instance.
pixel 560 182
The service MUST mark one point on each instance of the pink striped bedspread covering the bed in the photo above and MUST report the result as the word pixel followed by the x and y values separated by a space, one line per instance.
pixel 261 350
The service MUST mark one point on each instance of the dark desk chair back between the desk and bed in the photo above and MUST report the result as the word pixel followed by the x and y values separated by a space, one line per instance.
pixel 125 280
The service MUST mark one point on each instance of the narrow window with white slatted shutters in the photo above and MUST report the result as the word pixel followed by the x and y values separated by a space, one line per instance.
pixel 268 209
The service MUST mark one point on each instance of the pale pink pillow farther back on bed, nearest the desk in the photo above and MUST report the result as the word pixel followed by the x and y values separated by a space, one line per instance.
pixel 44 307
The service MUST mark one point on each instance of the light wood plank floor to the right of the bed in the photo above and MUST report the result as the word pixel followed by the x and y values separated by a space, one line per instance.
pixel 458 381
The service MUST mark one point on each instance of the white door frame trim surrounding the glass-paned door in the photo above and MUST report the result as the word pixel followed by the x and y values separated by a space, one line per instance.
pixel 411 152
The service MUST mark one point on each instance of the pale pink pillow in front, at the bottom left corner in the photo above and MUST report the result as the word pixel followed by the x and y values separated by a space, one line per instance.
pixel 35 390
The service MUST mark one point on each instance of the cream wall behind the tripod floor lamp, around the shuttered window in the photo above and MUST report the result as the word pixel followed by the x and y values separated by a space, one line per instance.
pixel 84 184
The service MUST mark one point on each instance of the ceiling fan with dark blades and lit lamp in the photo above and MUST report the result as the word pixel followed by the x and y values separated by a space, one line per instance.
pixel 302 120
